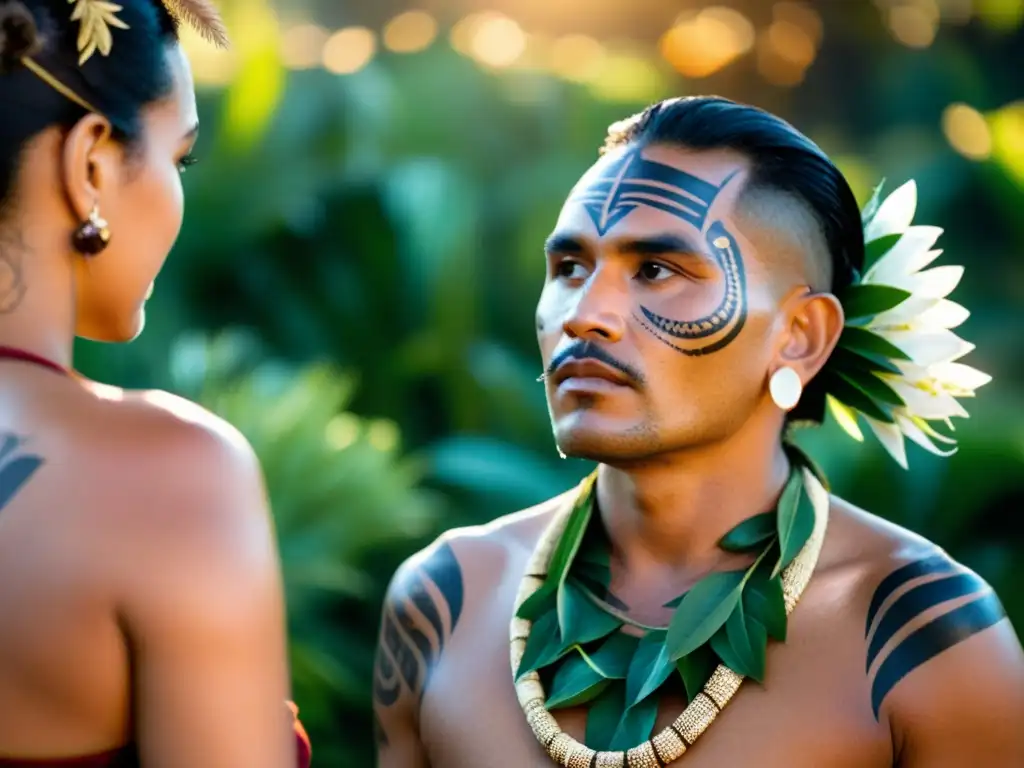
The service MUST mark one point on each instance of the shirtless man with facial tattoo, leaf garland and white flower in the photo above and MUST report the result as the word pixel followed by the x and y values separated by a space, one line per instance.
pixel 702 600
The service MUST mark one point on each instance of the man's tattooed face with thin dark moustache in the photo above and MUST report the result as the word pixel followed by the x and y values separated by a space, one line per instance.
pixel 658 321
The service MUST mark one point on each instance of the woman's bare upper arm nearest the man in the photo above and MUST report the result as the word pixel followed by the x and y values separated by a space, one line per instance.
pixel 203 610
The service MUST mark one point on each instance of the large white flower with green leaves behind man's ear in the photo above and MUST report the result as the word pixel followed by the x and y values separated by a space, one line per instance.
pixel 901 336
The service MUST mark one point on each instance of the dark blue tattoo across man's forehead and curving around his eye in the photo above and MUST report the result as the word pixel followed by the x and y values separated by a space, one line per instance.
pixel 635 182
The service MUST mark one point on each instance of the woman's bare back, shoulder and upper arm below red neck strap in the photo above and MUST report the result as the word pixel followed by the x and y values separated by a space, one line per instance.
pixel 137 559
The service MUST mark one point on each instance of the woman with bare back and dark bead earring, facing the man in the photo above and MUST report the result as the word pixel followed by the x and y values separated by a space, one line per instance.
pixel 142 611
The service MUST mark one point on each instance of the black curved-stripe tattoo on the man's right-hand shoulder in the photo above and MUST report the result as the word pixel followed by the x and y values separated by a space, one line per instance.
pixel 942 582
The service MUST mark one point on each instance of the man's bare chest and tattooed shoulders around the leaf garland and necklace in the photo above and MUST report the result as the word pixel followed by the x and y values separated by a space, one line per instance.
pixel 815 709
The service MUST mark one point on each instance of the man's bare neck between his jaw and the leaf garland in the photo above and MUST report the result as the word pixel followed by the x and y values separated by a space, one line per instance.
pixel 671 514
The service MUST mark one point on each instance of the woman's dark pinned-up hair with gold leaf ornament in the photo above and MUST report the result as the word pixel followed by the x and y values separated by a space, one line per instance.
pixel 136 74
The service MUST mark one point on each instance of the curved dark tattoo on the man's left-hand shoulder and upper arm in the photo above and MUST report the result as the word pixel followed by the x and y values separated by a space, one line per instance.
pixel 419 619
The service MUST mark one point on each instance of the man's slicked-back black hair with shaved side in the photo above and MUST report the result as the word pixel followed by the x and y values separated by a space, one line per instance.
pixel 782 158
